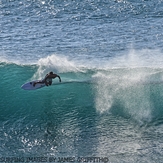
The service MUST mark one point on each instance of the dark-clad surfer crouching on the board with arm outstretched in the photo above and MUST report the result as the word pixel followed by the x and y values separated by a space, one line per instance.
pixel 48 79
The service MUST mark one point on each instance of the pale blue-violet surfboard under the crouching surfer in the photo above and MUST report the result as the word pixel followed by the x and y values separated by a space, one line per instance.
pixel 29 85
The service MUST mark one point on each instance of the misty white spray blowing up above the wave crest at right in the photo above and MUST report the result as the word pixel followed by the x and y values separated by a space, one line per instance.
pixel 138 58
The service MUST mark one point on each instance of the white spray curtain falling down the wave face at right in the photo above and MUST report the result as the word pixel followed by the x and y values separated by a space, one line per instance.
pixel 125 92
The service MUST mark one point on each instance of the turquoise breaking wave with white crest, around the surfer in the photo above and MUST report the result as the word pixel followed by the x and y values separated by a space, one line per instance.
pixel 134 93
